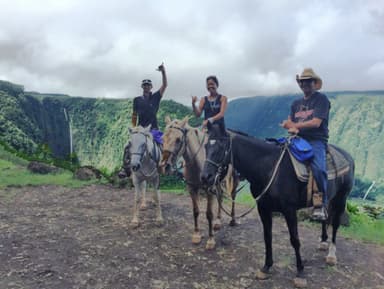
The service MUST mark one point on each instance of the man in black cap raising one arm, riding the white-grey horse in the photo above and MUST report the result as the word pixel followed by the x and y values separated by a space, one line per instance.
pixel 145 108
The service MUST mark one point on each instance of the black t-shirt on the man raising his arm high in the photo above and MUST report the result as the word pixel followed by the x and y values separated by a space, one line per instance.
pixel 146 109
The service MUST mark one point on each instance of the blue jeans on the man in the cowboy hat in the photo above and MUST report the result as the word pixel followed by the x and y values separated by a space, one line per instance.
pixel 319 167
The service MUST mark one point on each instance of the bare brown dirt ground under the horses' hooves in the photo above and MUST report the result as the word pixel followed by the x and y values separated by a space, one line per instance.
pixel 61 238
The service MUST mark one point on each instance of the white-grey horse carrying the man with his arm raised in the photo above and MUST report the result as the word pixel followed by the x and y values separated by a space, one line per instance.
pixel 145 156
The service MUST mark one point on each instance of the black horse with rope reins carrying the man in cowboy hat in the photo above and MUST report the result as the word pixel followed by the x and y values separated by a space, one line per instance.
pixel 277 186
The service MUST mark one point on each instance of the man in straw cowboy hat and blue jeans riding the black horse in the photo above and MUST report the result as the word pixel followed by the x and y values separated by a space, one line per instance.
pixel 309 120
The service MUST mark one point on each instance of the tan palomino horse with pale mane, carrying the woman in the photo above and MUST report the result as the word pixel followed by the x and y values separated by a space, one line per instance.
pixel 182 140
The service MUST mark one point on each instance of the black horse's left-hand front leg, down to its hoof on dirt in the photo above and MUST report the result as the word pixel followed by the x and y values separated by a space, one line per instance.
pixel 266 219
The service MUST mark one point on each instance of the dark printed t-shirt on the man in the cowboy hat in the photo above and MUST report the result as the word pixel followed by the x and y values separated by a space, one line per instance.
pixel 317 106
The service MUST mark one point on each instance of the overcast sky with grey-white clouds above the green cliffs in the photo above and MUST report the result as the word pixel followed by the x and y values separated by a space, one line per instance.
pixel 105 48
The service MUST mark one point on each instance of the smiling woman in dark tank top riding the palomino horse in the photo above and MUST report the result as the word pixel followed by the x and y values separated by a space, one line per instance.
pixel 213 105
